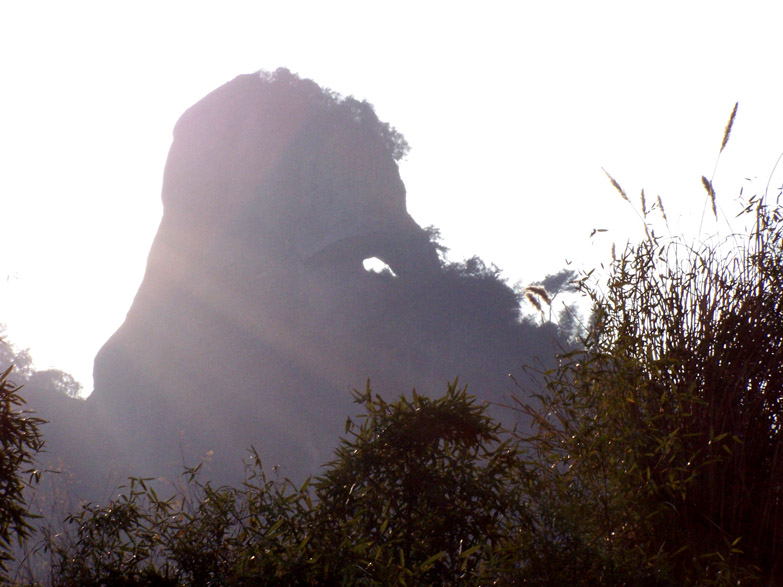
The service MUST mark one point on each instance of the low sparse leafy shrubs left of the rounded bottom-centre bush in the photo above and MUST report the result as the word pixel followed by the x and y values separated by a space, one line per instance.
pixel 201 536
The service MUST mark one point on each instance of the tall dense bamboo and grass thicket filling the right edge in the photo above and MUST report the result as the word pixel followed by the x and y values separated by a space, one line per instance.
pixel 658 446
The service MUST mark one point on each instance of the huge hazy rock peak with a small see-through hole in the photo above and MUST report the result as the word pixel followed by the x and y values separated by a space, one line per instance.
pixel 256 316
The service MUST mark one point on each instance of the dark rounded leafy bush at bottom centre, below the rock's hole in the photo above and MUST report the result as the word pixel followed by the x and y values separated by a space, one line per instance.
pixel 422 491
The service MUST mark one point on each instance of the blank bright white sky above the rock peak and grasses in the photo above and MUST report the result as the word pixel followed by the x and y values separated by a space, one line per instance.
pixel 511 109
